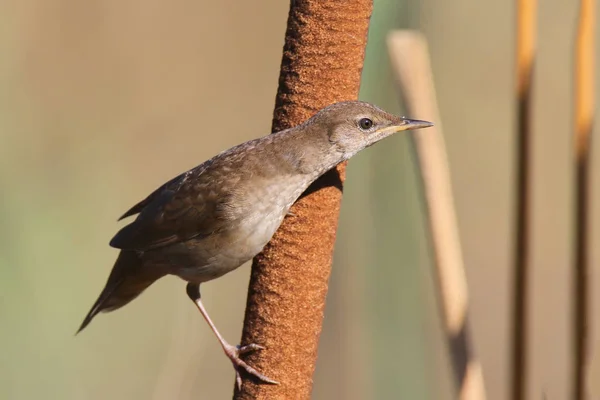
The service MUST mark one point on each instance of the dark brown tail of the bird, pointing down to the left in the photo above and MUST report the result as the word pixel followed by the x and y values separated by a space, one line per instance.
pixel 127 280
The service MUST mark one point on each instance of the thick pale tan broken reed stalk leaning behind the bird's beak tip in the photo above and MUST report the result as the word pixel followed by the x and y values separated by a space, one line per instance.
pixel 410 59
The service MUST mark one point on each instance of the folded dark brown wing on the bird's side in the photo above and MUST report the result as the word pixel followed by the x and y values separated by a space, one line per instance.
pixel 178 211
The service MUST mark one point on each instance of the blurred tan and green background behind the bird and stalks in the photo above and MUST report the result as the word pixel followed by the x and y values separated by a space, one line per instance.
pixel 100 102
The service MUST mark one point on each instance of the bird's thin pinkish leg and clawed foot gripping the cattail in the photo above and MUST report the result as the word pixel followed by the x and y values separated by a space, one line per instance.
pixel 232 352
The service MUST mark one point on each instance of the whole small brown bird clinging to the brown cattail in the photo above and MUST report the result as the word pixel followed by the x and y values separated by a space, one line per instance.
pixel 213 218
